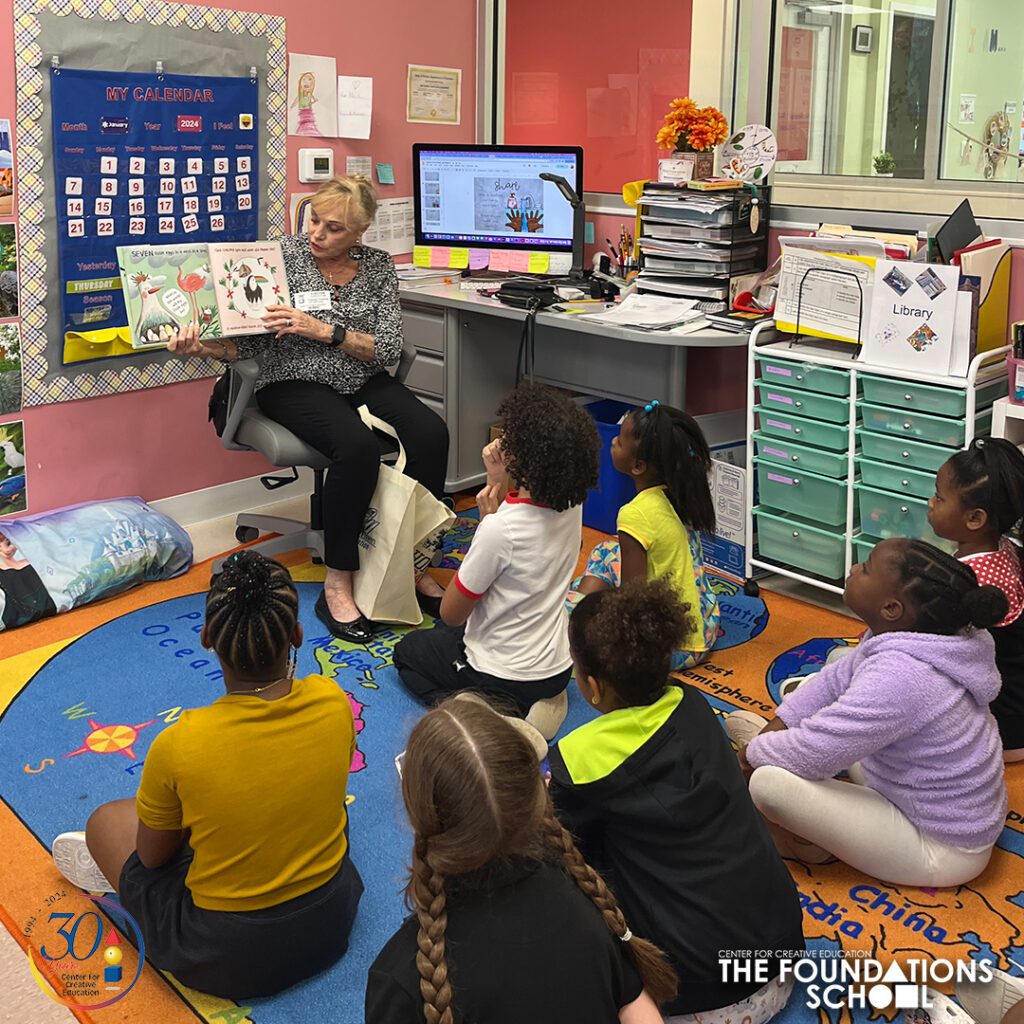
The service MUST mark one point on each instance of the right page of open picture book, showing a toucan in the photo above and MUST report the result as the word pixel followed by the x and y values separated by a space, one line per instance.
pixel 248 277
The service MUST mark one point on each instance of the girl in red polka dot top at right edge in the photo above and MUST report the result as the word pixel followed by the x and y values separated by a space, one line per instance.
pixel 978 501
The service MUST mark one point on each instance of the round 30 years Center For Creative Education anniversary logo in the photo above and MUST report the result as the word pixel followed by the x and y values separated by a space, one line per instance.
pixel 76 956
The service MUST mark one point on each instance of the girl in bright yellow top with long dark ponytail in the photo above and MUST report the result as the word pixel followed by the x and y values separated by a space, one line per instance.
pixel 665 452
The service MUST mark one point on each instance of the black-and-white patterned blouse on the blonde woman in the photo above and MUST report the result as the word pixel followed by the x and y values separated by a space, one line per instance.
pixel 368 304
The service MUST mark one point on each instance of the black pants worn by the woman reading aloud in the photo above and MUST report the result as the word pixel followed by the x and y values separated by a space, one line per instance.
pixel 327 421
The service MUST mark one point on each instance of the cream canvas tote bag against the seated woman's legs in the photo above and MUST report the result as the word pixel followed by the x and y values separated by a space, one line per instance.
pixel 401 534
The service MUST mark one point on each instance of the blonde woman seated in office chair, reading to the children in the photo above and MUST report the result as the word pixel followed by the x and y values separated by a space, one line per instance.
pixel 324 361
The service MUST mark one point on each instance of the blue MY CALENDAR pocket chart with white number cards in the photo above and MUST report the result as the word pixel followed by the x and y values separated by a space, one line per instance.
pixel 144 158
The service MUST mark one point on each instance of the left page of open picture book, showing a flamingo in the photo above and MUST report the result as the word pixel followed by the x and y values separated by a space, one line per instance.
pixel 167 289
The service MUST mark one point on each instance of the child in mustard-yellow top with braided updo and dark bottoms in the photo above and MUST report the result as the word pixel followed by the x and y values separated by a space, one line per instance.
pixel 234 857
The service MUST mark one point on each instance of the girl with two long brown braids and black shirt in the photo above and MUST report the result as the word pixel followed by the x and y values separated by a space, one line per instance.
pixel 510 923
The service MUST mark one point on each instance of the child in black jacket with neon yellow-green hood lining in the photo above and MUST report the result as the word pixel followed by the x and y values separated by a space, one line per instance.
pixel 653 794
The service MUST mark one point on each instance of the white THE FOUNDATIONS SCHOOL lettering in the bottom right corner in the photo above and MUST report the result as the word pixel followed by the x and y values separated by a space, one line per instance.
pixel 834 979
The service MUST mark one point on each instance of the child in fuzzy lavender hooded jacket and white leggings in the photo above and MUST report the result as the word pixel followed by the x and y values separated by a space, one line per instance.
pixel 907 715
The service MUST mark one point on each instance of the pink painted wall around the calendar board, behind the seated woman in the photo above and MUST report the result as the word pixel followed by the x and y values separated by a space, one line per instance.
pixel 158 443
